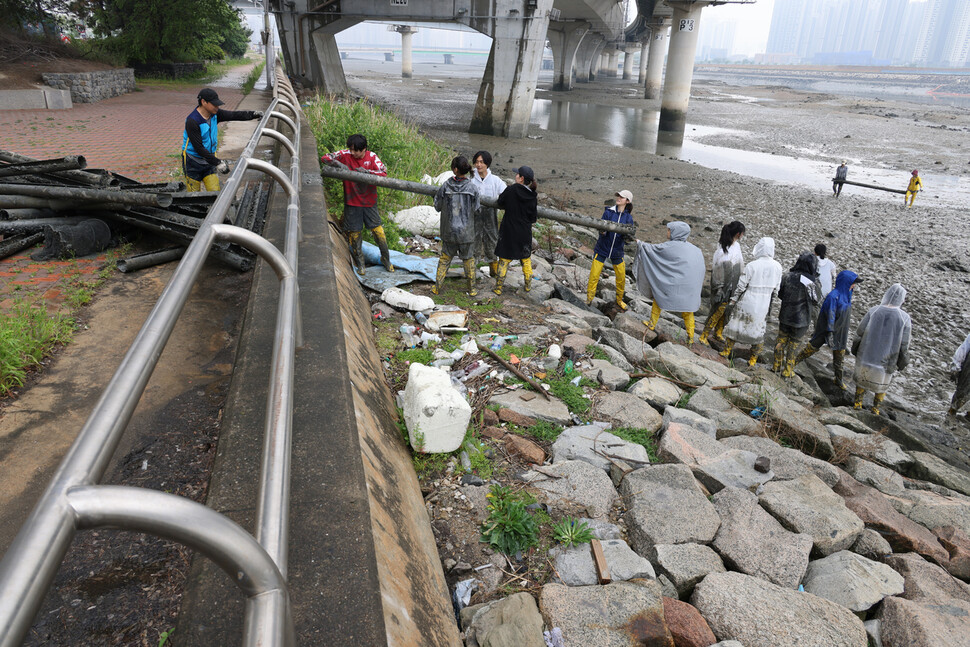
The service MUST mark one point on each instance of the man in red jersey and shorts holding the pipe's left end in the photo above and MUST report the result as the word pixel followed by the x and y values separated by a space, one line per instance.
pixel 360 200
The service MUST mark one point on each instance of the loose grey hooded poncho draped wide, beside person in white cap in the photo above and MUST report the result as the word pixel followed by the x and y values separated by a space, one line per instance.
pixel 673 271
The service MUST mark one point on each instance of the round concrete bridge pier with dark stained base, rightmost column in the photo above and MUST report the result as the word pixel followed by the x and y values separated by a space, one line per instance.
pixel 680 64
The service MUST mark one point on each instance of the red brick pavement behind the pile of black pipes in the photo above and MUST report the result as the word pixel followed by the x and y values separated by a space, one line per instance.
pixel 138 135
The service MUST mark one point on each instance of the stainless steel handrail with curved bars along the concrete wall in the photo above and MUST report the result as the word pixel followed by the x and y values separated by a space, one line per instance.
pixel 74 501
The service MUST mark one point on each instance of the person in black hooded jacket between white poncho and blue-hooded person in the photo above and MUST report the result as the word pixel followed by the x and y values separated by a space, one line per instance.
pixel 800 296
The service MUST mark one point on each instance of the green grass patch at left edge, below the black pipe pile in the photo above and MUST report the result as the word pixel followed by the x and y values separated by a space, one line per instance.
pixel 28 333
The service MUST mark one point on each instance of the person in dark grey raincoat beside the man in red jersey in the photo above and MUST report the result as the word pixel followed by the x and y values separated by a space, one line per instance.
pixel 457 201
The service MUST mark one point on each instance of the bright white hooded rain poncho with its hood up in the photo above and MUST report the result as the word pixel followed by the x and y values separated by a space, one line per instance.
pixel 760 281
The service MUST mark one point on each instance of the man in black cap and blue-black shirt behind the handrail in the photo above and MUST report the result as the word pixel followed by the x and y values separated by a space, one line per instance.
pixel 201 138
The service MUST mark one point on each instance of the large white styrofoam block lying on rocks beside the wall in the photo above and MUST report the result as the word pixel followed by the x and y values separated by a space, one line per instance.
pixel 435 413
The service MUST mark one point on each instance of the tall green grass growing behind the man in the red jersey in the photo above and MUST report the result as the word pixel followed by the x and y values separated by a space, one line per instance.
pixel 407 153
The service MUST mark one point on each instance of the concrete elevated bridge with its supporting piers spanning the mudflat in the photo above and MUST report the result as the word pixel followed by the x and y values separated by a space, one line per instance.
pixel 586 38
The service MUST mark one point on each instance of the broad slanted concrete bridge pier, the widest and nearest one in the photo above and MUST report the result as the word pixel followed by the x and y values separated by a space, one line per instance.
pixel 508 87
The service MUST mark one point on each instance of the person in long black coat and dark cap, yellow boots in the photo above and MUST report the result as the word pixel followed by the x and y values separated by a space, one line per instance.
pixel 521 205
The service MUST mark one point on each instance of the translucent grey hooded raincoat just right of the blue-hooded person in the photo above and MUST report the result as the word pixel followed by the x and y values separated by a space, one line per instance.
pixel 882 342
